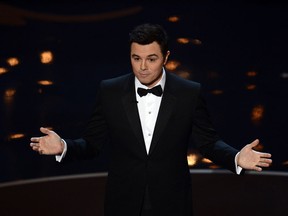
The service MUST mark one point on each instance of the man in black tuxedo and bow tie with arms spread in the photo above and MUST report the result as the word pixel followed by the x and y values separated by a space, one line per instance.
pixel 149 134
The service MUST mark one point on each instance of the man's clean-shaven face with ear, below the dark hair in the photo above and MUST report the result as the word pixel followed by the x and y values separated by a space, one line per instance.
pixel 147 62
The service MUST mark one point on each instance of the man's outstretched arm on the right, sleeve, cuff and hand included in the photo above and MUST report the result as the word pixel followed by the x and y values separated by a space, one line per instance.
pixel 222 153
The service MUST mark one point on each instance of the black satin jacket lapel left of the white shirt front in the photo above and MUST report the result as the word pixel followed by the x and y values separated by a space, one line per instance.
pixel 130 106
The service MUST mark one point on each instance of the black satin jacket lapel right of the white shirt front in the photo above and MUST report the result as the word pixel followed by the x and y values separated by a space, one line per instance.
pixel 167 105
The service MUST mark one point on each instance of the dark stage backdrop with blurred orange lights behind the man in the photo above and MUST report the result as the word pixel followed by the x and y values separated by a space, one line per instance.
pixel 237 38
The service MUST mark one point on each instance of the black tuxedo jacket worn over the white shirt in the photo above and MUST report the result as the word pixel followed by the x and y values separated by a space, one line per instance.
pixel 164 170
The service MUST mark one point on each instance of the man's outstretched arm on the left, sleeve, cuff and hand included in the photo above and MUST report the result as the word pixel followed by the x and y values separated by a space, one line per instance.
pixel 83 148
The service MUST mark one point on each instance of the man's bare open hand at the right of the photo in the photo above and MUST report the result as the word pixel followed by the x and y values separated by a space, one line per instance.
pixel 253 160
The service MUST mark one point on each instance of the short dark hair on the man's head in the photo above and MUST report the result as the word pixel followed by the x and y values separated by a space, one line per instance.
pixel 148 33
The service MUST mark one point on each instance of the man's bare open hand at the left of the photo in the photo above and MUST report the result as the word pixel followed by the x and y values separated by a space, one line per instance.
pixel 50 144
